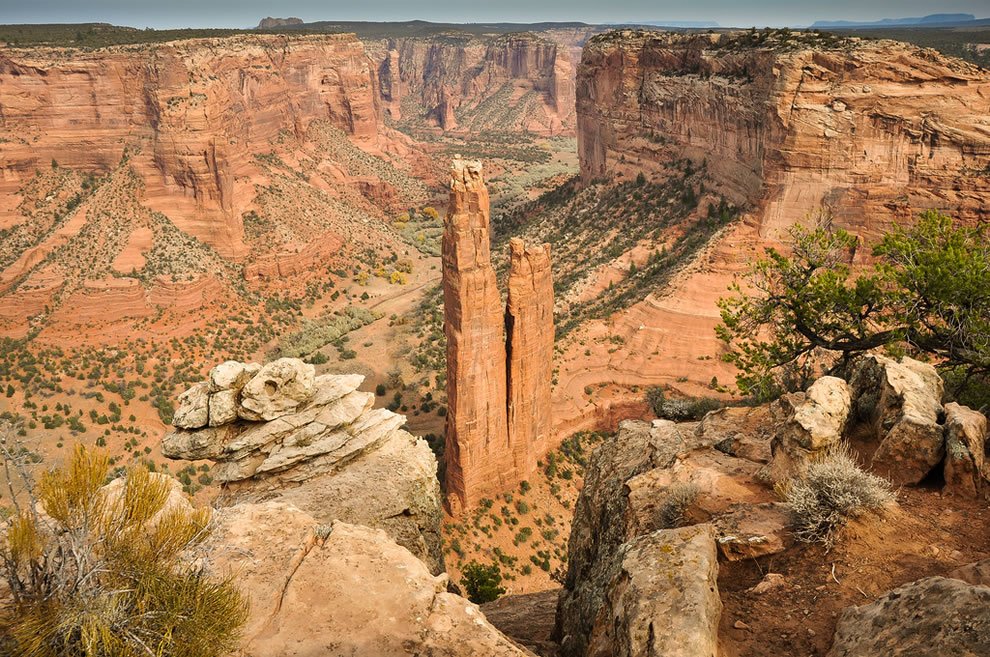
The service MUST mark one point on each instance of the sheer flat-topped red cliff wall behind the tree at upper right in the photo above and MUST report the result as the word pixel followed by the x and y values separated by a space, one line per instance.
pixel 790 124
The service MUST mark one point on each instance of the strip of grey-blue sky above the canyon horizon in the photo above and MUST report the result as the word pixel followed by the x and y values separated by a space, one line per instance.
pixel 161 14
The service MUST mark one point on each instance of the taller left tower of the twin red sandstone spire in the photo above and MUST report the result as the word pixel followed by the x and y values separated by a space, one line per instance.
pixel 477 453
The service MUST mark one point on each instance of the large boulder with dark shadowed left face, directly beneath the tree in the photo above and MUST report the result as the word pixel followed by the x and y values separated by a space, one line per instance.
pixel 901 401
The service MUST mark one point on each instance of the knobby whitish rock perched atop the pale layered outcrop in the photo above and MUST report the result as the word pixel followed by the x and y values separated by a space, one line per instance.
pixel 279 388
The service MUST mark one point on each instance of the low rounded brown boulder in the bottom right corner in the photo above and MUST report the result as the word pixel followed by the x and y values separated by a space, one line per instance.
pixel 932 617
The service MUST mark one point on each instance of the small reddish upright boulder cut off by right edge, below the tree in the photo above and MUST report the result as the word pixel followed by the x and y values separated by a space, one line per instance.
pixel 965 442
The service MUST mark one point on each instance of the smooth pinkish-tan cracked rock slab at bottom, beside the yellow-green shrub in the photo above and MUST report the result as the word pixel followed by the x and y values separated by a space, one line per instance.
pixel 340 589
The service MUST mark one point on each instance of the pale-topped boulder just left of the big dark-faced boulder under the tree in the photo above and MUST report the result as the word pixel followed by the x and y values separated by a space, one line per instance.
pixel 808 425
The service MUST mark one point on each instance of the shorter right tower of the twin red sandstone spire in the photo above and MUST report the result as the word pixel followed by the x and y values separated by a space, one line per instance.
pixel 529 324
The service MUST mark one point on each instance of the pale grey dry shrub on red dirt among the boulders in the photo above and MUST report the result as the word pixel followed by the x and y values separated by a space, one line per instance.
pixel 832 491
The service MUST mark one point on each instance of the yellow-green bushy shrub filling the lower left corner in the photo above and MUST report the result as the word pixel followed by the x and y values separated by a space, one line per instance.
pixel 104 574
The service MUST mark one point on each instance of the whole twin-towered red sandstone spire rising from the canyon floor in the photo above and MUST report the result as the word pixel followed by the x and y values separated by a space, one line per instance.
pixel 498 361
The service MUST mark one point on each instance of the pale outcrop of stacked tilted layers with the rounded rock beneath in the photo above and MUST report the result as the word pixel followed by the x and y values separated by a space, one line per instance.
pixel 280 433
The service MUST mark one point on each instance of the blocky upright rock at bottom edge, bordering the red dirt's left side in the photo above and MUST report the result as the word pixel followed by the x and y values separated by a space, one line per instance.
pixel 661 599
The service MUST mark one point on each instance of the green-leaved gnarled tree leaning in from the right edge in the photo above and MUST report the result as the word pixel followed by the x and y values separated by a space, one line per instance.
pixel 810 313
